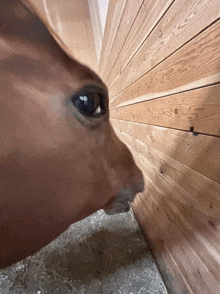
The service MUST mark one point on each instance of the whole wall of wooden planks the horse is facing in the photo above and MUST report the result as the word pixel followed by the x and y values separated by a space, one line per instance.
pixel 160 60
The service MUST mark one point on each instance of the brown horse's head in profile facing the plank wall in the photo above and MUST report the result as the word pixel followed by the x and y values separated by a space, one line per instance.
pixel 60 159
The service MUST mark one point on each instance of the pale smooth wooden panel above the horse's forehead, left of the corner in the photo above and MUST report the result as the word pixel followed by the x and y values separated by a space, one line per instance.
pixel 71 22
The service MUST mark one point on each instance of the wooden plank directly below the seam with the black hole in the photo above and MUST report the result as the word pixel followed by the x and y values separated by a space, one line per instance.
pixel 201 153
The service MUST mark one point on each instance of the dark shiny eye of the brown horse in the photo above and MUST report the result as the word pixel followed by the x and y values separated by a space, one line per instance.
pixel 90 104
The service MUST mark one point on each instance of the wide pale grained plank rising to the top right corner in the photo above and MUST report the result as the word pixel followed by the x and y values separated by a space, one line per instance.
pixel 184 20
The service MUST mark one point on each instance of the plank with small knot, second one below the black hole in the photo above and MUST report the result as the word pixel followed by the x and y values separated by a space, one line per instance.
pixel 198 190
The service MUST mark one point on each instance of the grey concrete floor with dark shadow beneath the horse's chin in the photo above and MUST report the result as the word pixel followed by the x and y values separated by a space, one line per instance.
pixel 101 254
